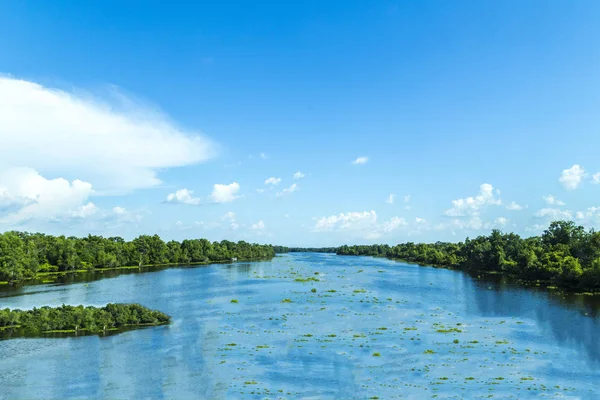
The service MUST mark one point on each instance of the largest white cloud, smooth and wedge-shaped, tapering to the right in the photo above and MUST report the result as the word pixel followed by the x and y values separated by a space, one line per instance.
pixel 119 147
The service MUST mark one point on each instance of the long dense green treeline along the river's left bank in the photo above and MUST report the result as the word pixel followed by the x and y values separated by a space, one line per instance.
pixel 24 255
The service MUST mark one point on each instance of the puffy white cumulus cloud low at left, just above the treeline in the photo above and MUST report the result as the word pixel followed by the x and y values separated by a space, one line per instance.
pixel 27 195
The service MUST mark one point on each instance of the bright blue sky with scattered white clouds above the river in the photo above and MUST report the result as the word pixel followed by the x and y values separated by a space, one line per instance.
pixel 120 119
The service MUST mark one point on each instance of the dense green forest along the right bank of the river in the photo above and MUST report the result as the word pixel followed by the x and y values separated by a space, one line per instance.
pixel 565 255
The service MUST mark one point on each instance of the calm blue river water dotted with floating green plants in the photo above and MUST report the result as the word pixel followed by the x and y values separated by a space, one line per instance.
pixel 373 329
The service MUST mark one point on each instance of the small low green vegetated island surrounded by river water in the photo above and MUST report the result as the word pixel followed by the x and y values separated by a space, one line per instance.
pixel 77 320
